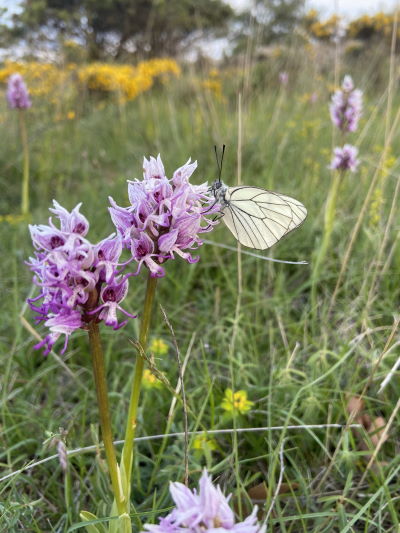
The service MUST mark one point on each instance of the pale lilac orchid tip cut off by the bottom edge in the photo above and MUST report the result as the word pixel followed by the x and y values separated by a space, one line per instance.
pixel 206 510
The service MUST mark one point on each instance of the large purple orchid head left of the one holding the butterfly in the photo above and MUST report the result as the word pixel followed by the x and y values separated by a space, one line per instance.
pixel 79 281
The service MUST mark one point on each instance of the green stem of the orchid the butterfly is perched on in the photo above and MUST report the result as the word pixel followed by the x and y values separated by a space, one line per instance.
pixel 127 451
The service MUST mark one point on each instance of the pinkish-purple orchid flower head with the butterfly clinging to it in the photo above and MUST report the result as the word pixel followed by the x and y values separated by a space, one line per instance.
pixel 165 216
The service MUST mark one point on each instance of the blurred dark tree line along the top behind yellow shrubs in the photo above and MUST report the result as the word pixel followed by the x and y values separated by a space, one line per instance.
pixel 117 29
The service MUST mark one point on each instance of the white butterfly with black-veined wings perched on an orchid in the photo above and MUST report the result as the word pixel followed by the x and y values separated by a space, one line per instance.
pixel 257 218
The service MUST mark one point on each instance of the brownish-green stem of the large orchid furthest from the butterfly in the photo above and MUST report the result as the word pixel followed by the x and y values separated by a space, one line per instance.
pixel 104 411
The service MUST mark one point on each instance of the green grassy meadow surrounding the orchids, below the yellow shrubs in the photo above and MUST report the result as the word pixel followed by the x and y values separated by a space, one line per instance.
pixel 302 345
